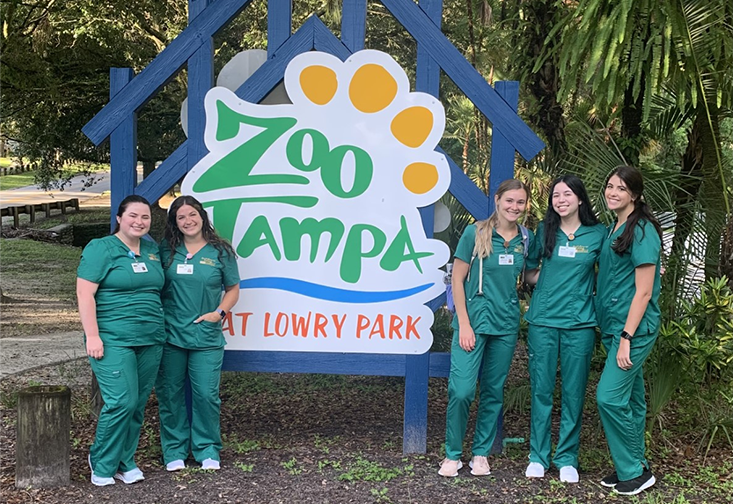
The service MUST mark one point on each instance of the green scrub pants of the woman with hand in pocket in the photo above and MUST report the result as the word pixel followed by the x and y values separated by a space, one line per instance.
pixel 202 436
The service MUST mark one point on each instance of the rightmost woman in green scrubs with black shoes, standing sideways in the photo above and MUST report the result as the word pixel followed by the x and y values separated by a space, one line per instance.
pixel 627 303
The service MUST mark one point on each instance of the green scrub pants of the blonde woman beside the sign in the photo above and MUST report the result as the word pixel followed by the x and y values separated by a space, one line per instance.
pixel 495 354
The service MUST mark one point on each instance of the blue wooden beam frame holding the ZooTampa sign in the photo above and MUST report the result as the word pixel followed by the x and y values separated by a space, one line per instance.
pixel 194 48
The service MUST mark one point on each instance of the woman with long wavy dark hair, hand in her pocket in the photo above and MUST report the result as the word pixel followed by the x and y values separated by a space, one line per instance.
pixel 198 265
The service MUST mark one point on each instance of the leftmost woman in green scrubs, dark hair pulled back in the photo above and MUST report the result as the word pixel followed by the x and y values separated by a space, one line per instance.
pixel 118 287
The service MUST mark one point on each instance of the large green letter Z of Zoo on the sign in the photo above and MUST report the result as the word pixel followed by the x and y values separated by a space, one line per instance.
pixel 233 170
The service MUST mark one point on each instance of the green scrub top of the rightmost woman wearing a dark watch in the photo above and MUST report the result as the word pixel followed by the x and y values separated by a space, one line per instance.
pixel 617 281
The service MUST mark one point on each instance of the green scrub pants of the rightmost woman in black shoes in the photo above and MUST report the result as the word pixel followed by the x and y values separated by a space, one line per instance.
pixel 622 406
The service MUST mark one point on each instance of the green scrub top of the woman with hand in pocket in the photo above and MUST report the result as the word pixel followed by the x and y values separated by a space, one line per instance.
pixel 188 296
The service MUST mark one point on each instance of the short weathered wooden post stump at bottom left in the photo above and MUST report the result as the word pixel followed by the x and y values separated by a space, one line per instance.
pixel 42 444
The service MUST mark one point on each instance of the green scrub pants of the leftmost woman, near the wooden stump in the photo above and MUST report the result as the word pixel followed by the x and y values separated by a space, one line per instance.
pixel 126 376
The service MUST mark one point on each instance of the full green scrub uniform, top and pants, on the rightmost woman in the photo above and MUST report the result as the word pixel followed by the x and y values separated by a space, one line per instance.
pixel 620 394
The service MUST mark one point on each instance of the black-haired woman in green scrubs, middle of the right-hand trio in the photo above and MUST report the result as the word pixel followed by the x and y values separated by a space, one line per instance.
pixel 562 323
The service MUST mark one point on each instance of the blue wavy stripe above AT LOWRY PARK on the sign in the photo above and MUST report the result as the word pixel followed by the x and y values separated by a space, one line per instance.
pixel 329 293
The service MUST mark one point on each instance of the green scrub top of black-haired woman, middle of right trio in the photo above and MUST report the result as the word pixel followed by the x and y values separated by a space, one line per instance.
pixel 563 297
